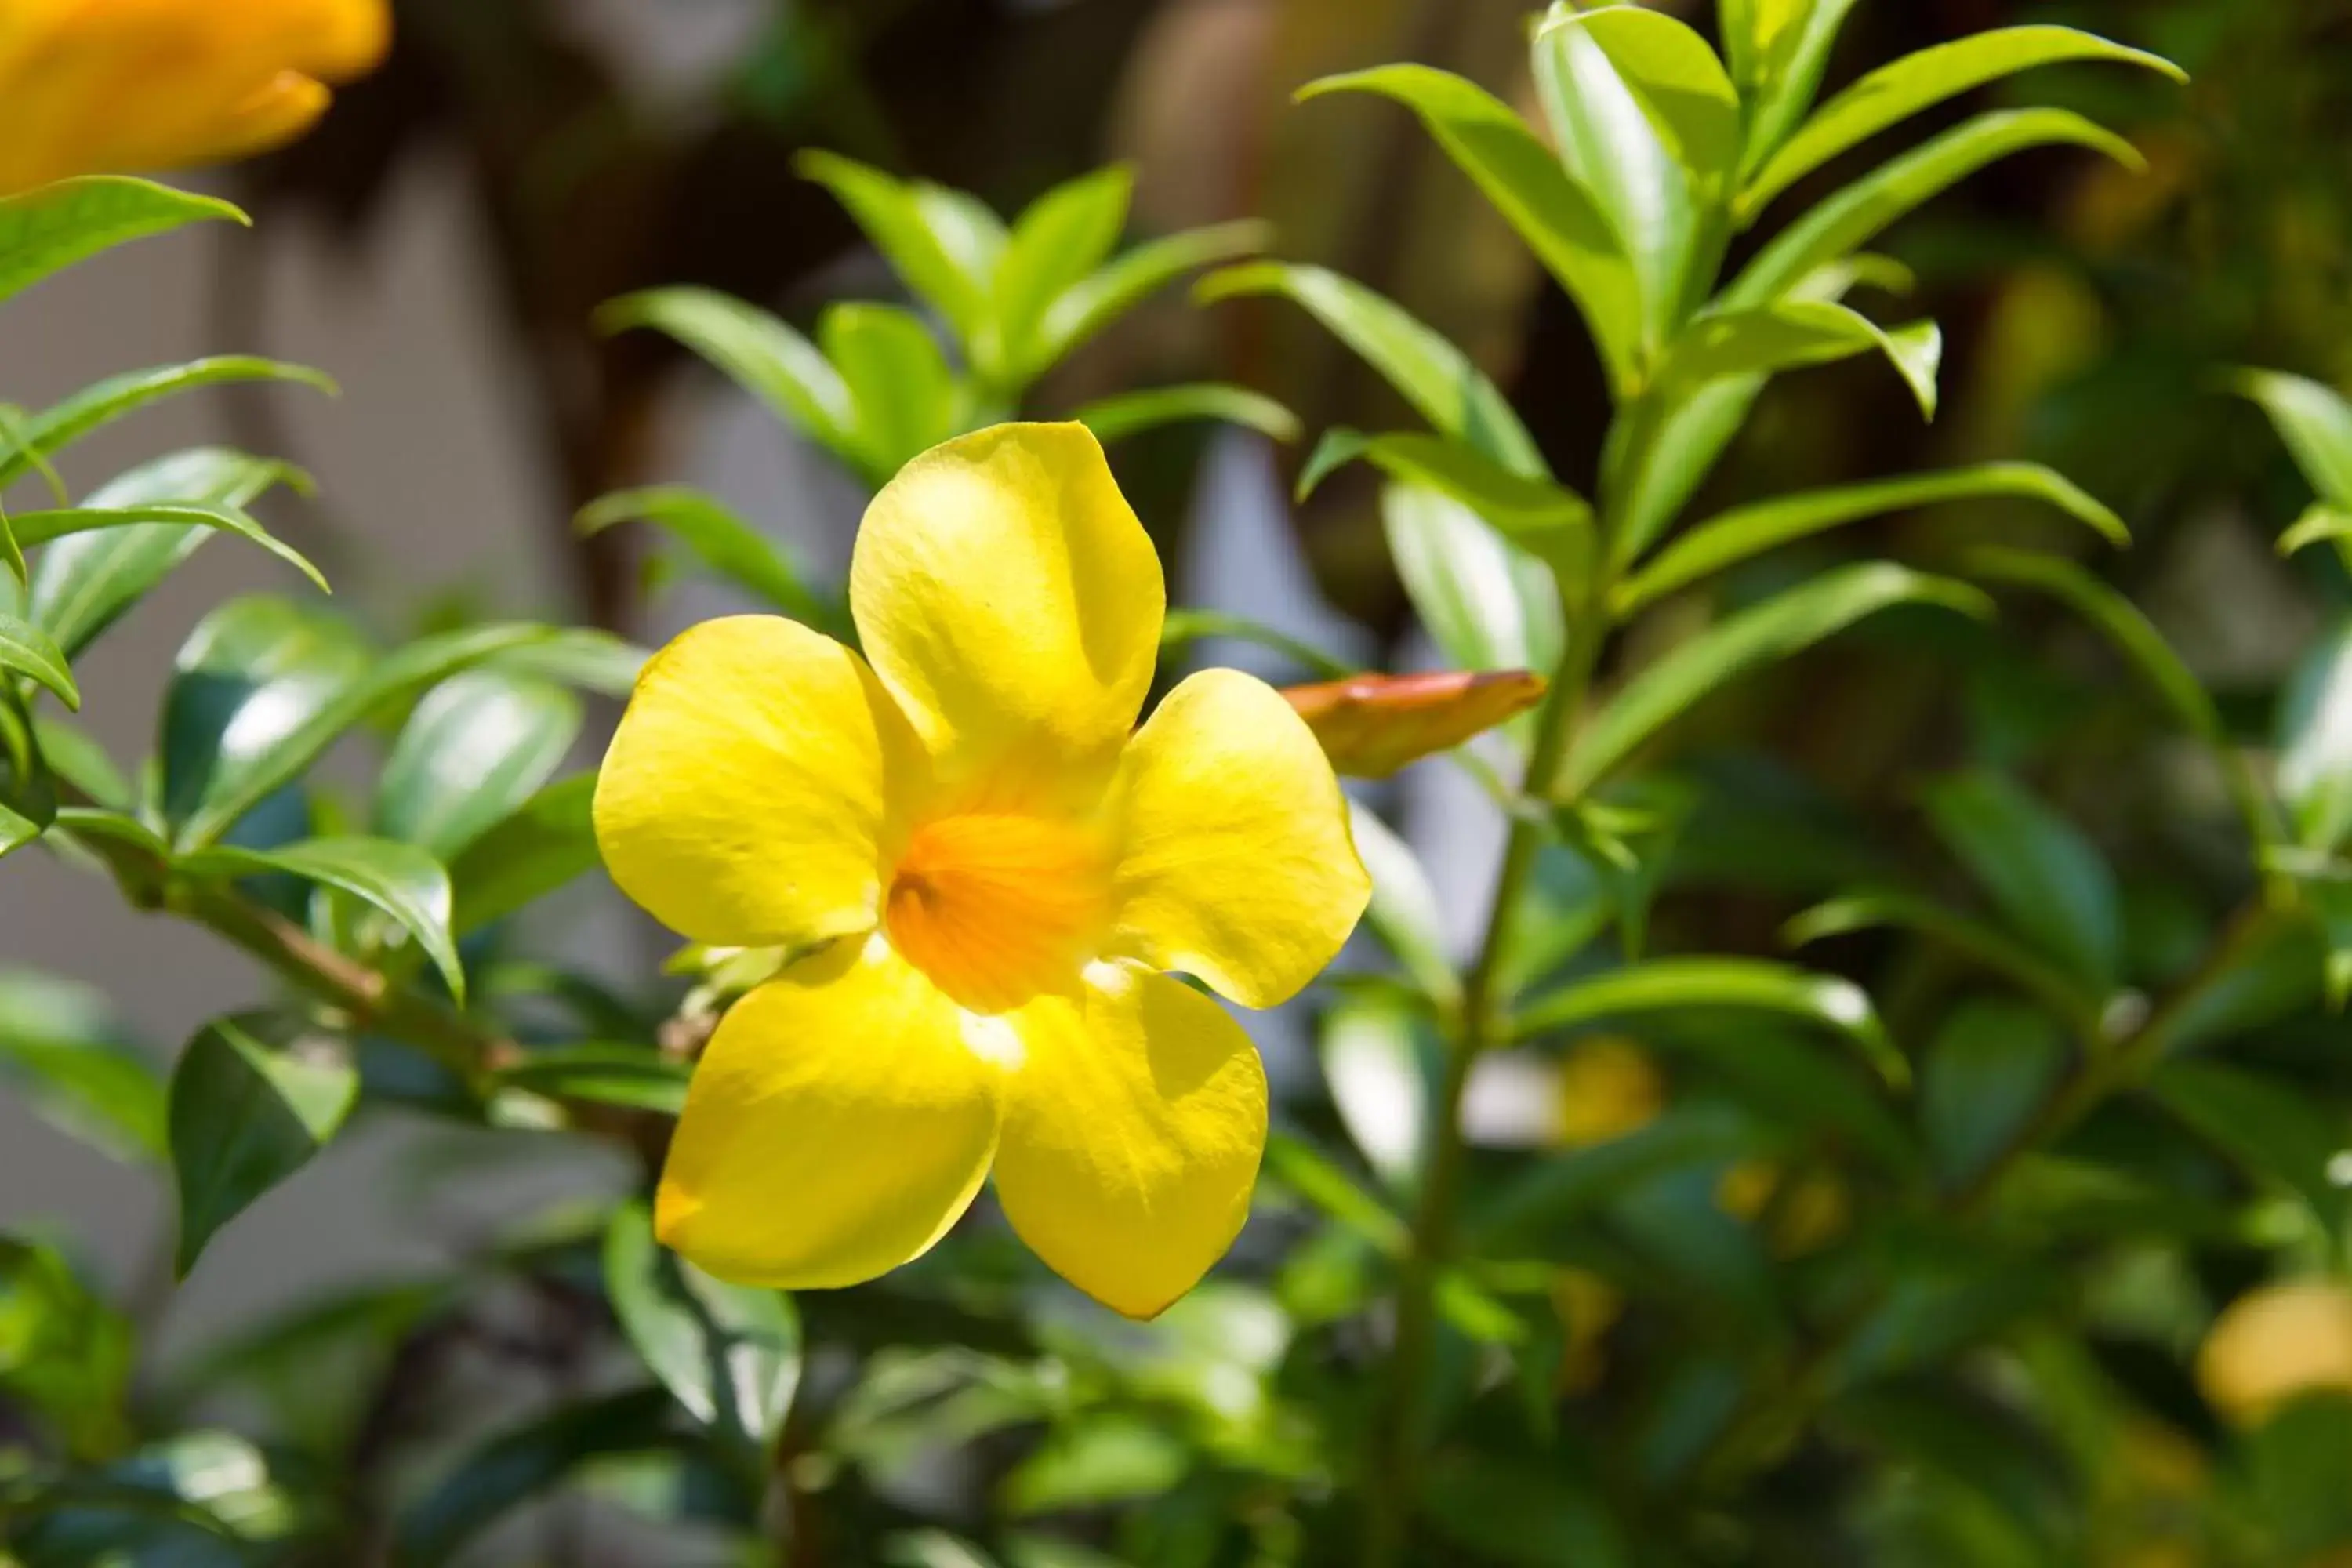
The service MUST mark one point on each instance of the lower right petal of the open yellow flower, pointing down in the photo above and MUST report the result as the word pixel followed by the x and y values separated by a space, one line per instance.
pixel 1132 1137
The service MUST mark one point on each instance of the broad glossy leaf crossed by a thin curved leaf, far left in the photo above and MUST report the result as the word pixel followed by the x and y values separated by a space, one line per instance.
pixel 83 584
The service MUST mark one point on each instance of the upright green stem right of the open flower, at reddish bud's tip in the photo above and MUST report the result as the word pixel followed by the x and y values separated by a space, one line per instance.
pixel 1396 1470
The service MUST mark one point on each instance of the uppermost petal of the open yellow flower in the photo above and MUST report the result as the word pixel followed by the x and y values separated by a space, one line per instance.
pixel 1013 605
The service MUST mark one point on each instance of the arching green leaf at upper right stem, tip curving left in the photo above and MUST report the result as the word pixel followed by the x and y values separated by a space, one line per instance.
pixel 1556 215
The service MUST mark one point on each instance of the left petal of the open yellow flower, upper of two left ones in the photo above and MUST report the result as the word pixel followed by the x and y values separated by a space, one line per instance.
pixel 744 796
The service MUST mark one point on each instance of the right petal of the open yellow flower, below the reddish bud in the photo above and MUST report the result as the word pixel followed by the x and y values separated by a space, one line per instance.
pixel 1236 862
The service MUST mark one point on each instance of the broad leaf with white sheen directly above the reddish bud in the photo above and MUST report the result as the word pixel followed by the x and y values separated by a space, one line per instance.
pixel 1485 603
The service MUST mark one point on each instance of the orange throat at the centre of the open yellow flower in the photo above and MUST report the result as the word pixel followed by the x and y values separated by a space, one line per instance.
pixel 998 909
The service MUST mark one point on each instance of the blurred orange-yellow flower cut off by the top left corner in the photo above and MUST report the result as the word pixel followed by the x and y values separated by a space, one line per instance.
pixel 109 86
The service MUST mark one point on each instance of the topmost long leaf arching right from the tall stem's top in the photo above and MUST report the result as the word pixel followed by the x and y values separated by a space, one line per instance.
pixel 1918 81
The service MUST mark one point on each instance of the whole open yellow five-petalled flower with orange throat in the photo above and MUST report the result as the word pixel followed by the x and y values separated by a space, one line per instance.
pixel 994 871
